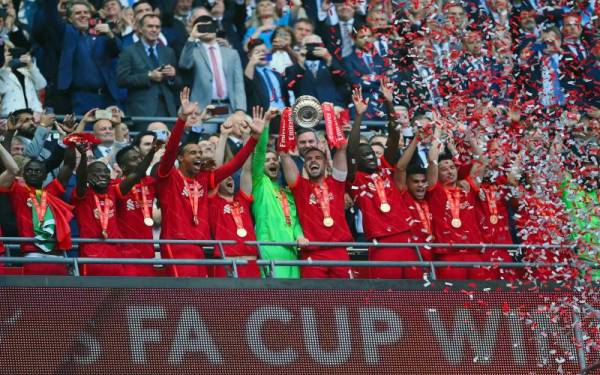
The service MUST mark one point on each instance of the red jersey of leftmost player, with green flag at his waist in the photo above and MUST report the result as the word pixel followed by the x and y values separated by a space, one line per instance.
pixel 22 207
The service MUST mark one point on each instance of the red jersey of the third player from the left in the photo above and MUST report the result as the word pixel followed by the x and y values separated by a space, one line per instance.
pixel 130 216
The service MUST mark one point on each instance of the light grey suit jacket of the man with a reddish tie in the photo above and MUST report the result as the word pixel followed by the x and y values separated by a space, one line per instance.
pixel 194 56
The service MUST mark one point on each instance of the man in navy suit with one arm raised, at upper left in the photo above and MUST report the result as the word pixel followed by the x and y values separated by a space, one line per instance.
pixel 85 69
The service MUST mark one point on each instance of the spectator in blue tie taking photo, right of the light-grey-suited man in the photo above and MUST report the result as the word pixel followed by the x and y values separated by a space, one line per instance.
pixel 263 86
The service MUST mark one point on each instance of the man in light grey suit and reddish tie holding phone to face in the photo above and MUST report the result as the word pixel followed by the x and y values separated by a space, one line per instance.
pixel 218 76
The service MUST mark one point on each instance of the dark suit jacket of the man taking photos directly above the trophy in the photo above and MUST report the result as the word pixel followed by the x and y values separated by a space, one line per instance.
pixel 323 87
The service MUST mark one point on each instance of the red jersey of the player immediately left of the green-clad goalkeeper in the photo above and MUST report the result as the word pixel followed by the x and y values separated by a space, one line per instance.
pixel 223 226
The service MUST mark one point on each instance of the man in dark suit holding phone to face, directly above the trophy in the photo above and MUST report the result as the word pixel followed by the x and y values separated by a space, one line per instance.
pixel 317 73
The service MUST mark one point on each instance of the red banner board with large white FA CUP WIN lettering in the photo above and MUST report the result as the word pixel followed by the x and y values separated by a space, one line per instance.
pixel 461 329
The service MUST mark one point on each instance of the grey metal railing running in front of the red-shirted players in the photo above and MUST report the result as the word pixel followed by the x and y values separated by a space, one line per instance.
pixel 270 264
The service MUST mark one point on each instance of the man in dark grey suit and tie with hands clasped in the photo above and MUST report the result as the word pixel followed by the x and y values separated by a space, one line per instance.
pixel 147 70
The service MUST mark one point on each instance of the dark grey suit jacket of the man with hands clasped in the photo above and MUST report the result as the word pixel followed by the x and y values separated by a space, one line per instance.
pixel 132 74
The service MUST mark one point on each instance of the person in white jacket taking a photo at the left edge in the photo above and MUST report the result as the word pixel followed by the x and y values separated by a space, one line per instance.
pixel 20 80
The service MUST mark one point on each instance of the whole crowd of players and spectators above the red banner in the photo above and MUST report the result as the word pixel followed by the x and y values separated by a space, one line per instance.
pixel 491 113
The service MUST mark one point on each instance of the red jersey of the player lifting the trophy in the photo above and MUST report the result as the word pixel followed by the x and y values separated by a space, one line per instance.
pixel 310 212
